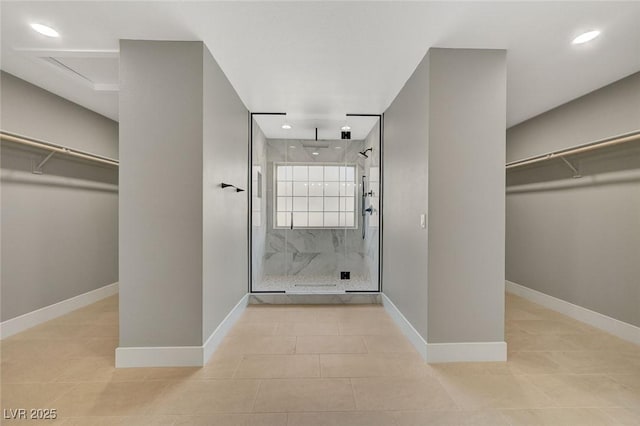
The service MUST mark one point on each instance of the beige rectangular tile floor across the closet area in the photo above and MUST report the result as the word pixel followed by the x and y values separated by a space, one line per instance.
pixel 326 365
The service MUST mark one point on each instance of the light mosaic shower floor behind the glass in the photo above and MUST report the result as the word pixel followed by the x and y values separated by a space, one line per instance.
pixel 312 284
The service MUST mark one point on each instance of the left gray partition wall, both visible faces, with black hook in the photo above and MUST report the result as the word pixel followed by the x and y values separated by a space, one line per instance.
pixel 184 242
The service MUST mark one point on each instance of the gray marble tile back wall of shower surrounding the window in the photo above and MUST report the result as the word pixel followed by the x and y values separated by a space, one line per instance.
pixel 314 253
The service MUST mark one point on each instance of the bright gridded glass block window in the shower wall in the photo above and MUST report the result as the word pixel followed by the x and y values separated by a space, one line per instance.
pixel 315 196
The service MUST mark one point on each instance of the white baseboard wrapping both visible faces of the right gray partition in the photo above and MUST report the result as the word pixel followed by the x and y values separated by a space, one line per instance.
pixel 445 352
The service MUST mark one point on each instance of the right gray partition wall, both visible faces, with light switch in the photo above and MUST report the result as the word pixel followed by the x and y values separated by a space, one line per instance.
pixel 444 153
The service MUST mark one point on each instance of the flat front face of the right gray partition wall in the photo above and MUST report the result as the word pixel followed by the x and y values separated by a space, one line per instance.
pixel 466 195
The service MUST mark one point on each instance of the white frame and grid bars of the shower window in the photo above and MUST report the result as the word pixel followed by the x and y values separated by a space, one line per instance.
pixel 356 205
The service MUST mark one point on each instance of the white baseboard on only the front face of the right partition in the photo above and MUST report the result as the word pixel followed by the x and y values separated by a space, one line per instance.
pixel 466 352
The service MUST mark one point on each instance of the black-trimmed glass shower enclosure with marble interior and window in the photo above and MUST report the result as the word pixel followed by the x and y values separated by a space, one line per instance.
pixel 315 210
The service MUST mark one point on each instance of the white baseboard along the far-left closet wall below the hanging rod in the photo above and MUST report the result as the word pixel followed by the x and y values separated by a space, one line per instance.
pixel 31 319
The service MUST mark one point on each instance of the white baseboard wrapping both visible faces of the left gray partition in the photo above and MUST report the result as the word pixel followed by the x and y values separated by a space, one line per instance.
pixel 180 356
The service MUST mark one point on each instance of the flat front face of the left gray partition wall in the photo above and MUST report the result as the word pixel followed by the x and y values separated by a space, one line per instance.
pixel 161 234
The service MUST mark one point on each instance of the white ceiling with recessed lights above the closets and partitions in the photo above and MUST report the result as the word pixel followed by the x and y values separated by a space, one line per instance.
pixel 320 60
